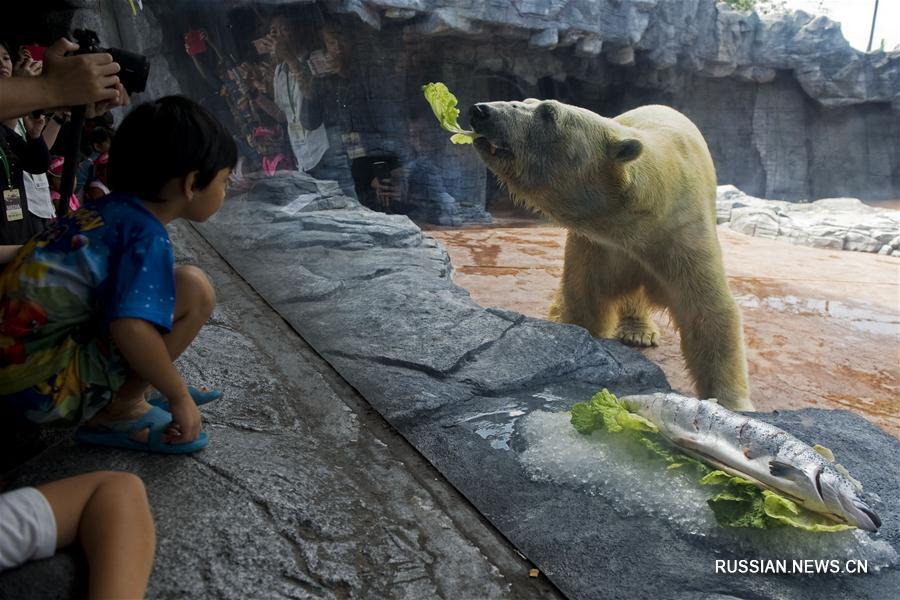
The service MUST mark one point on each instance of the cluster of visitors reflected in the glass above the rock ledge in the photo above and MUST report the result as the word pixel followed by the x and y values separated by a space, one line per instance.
pixel 283 100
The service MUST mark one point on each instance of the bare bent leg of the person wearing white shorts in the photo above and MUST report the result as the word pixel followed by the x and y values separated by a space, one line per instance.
pixel 110 514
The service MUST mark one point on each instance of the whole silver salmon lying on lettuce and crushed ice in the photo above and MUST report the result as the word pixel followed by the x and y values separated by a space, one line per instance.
pixel 770 457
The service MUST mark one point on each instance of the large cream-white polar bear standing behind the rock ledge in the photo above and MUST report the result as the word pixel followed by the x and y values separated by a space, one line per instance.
pixel 637 196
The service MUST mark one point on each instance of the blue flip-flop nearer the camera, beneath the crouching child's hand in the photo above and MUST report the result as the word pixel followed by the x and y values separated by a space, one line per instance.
pixel 118 434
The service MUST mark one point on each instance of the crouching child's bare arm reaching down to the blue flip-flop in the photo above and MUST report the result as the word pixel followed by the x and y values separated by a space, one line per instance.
pixel 145 350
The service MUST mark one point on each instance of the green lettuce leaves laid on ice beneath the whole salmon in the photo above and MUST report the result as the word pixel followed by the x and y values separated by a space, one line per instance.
pixel 737 502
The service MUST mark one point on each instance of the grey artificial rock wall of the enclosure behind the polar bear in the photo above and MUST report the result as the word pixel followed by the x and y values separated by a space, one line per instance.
pixel 789 109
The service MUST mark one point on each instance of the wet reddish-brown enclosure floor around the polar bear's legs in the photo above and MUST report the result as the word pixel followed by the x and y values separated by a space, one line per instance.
pixel 822 327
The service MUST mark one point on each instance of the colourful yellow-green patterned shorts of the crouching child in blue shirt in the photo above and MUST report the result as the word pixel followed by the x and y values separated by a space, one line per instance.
pixel 95 370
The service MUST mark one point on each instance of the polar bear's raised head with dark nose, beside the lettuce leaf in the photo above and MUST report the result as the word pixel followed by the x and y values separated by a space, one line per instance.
pixel 547 152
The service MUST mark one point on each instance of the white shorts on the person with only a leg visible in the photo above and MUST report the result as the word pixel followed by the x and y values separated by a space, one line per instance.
pixel 27 527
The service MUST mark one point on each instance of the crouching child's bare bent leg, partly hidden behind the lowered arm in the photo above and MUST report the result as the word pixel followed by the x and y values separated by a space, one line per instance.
pixel 195 299
